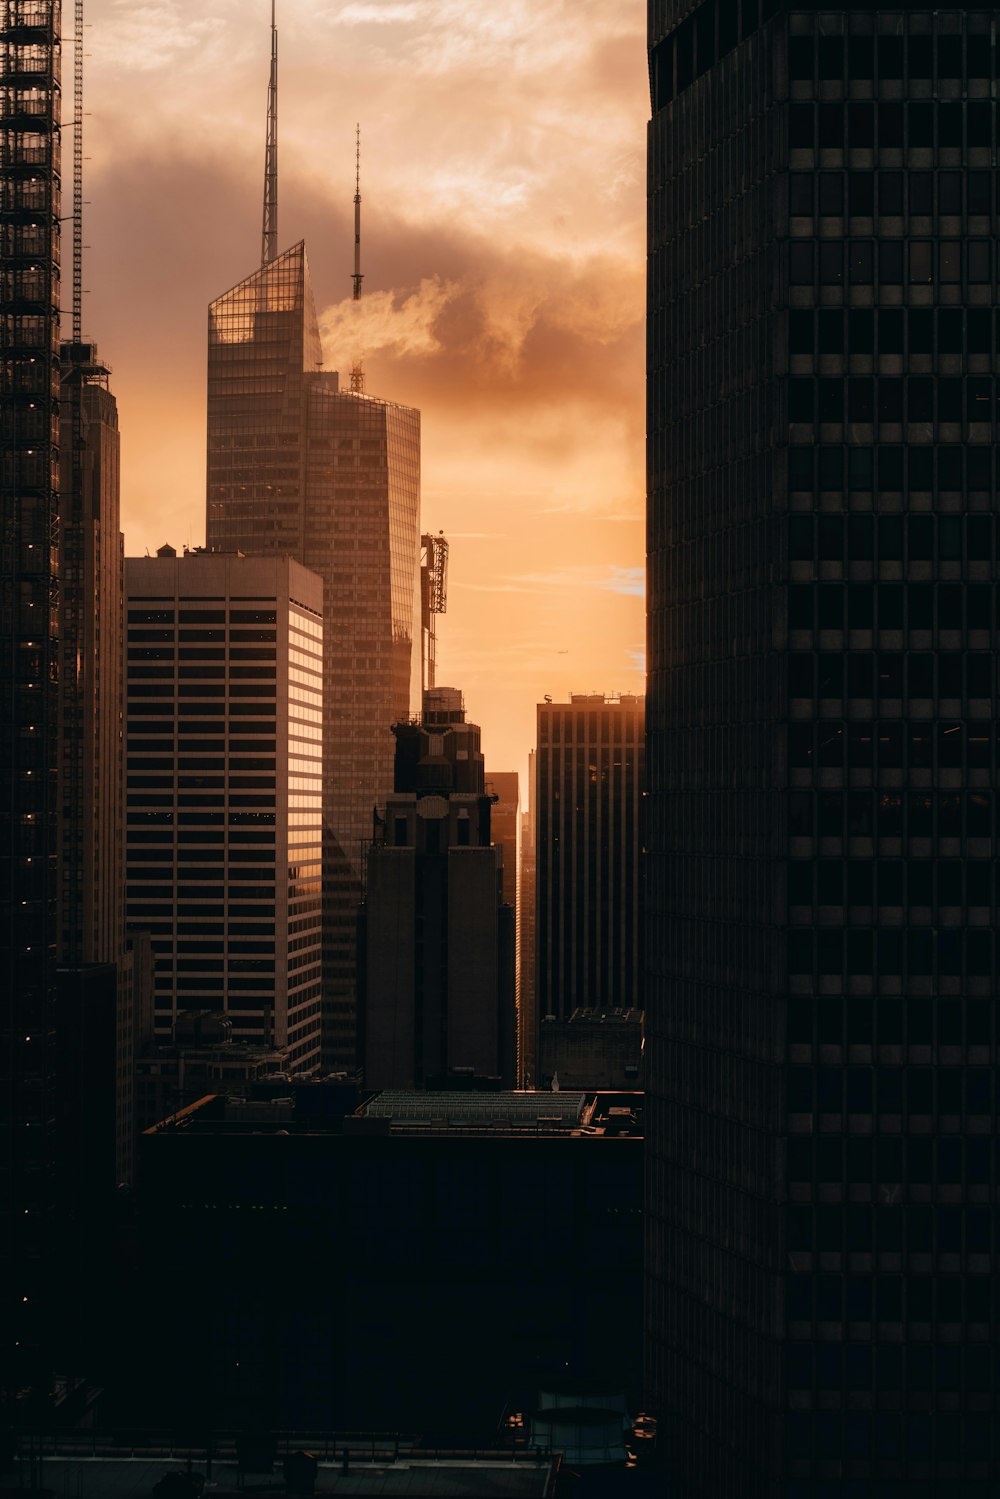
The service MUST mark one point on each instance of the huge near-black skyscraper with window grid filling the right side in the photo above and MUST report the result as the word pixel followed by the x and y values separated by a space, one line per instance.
pixel 821 915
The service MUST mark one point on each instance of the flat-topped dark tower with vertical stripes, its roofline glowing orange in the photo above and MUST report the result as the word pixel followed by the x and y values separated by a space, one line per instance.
pixel 590 780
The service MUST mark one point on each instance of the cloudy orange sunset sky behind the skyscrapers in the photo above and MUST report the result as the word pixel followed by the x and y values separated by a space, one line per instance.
pixel 503 161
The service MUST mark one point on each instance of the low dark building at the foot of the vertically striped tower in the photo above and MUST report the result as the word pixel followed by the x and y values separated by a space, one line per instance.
pixel 591 1050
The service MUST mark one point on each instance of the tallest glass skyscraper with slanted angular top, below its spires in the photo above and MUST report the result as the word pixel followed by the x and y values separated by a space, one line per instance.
pixel 331 477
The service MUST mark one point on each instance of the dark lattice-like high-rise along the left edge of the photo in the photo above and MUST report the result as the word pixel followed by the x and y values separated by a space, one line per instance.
pixel 31 112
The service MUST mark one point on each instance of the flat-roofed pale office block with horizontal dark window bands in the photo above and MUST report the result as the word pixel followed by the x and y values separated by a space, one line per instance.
pixel 224 785
